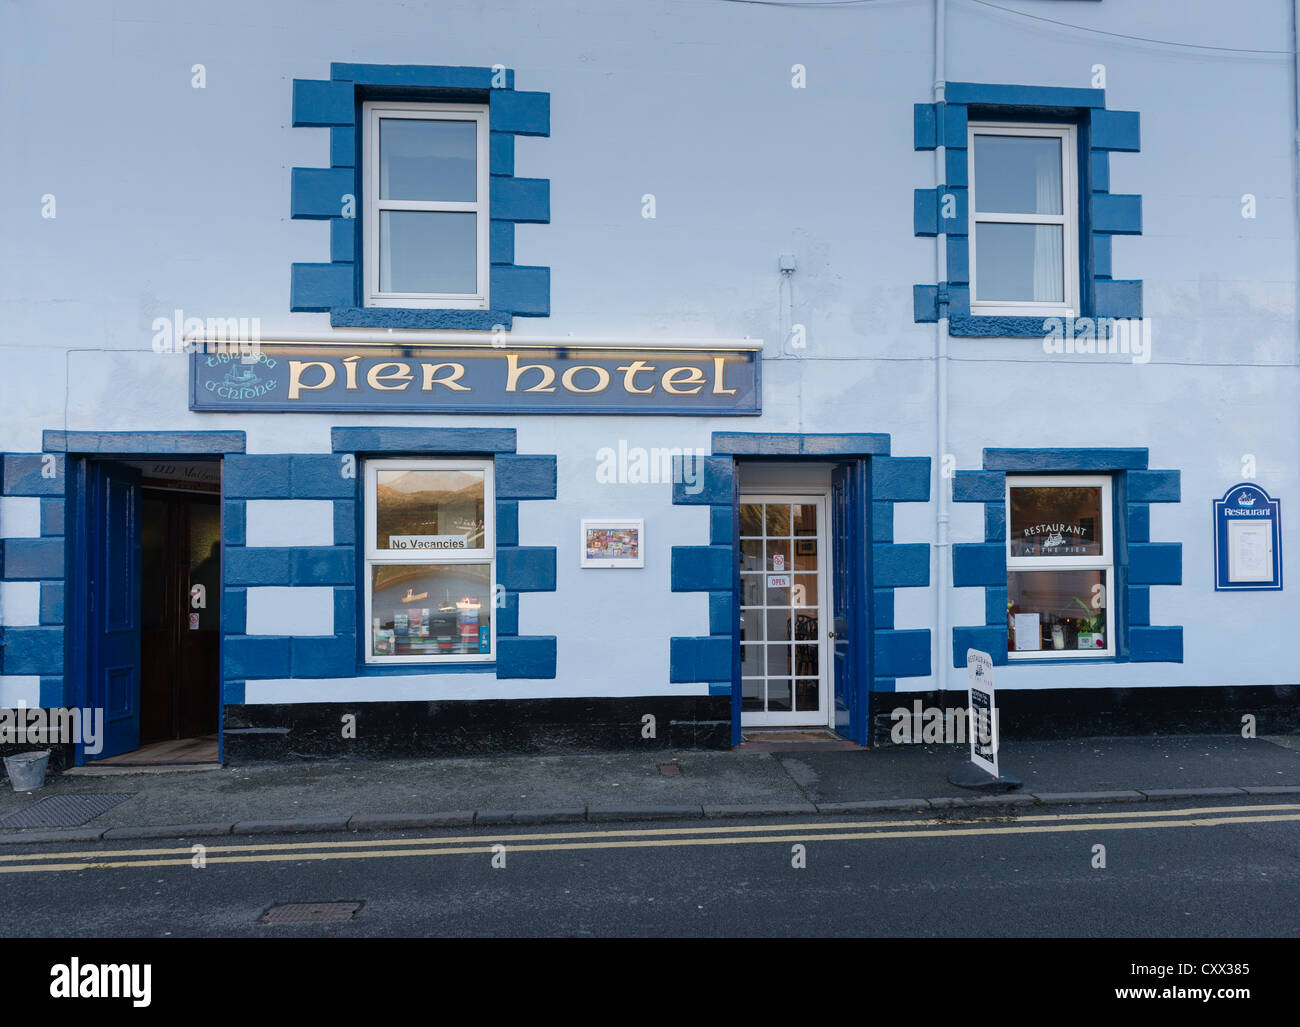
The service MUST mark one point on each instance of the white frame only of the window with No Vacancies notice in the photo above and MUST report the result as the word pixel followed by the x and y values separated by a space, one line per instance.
pixel 380 557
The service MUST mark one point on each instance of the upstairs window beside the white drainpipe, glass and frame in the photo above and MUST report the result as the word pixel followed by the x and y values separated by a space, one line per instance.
pixel 1024 235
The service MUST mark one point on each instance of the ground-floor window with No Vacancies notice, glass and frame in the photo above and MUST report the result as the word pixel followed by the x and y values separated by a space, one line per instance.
pixel 431 562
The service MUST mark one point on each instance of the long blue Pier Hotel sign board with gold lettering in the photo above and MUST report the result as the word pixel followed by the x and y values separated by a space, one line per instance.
pixel 447 379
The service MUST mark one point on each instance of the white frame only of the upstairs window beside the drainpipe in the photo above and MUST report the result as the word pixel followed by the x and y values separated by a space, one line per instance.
pixel 1068 219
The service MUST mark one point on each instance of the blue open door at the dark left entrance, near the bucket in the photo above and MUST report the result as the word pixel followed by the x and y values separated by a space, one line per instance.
pixel 112 597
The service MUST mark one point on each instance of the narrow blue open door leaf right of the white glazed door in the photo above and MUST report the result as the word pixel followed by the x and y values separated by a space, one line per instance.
pixel 850 601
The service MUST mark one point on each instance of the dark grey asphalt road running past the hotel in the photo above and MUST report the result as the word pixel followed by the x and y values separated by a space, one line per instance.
pixel 1189 869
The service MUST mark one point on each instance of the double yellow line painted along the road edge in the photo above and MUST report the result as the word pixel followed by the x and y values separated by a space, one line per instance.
pixel 647 839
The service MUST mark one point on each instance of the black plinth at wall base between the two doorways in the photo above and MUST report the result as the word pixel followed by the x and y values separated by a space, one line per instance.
pixel 475 729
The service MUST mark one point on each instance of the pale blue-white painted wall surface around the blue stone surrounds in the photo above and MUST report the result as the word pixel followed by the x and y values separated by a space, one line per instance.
pixel 174 198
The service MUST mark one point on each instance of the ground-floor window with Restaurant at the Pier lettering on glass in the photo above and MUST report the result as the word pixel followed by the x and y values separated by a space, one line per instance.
pixel 1060 567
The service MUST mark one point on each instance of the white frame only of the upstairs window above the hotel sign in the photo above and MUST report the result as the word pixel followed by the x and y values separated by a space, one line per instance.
pixel 480 207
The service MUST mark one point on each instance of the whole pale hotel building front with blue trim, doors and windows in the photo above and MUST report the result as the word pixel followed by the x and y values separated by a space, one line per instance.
pixel 504 378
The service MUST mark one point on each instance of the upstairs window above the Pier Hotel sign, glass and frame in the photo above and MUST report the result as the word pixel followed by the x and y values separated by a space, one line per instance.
pixel 427 214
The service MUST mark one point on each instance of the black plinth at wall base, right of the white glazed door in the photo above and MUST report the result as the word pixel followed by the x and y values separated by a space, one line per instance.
pixel 1081 713
